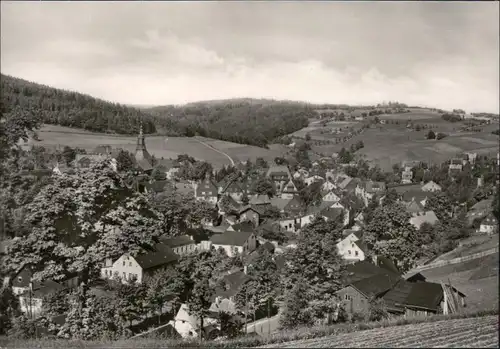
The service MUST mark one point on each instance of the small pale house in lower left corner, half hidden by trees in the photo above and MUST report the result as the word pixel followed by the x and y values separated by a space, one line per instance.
pixel 31 300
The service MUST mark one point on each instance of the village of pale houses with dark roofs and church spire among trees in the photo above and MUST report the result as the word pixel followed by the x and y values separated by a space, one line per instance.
pixel 265 214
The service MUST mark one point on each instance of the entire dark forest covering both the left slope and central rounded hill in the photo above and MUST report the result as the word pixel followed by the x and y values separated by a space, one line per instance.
pixel 245 121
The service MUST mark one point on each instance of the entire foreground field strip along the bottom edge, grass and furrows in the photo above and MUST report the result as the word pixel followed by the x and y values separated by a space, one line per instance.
pixel 393 332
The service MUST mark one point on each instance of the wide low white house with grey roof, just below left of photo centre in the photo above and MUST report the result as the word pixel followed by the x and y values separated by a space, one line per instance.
pixel 234 242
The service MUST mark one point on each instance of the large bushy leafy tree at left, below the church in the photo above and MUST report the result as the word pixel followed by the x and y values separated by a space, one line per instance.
pixel 80 220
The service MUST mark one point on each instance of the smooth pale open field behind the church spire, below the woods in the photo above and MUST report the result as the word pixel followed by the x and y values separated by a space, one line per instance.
pixel 166 147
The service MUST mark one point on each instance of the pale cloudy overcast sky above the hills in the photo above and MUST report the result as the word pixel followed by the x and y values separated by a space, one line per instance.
pixel 432 54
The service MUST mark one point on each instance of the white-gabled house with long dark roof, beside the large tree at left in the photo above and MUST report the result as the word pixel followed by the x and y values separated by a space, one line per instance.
pixel 128 267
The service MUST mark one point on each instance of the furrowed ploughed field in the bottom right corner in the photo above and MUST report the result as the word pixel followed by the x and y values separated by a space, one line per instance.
pixel 463 333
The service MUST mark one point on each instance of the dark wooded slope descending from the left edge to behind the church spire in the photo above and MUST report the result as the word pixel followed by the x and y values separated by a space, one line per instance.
pixel 71 109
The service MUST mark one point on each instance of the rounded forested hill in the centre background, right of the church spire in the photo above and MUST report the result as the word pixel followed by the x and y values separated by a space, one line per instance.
pixel 248 121
